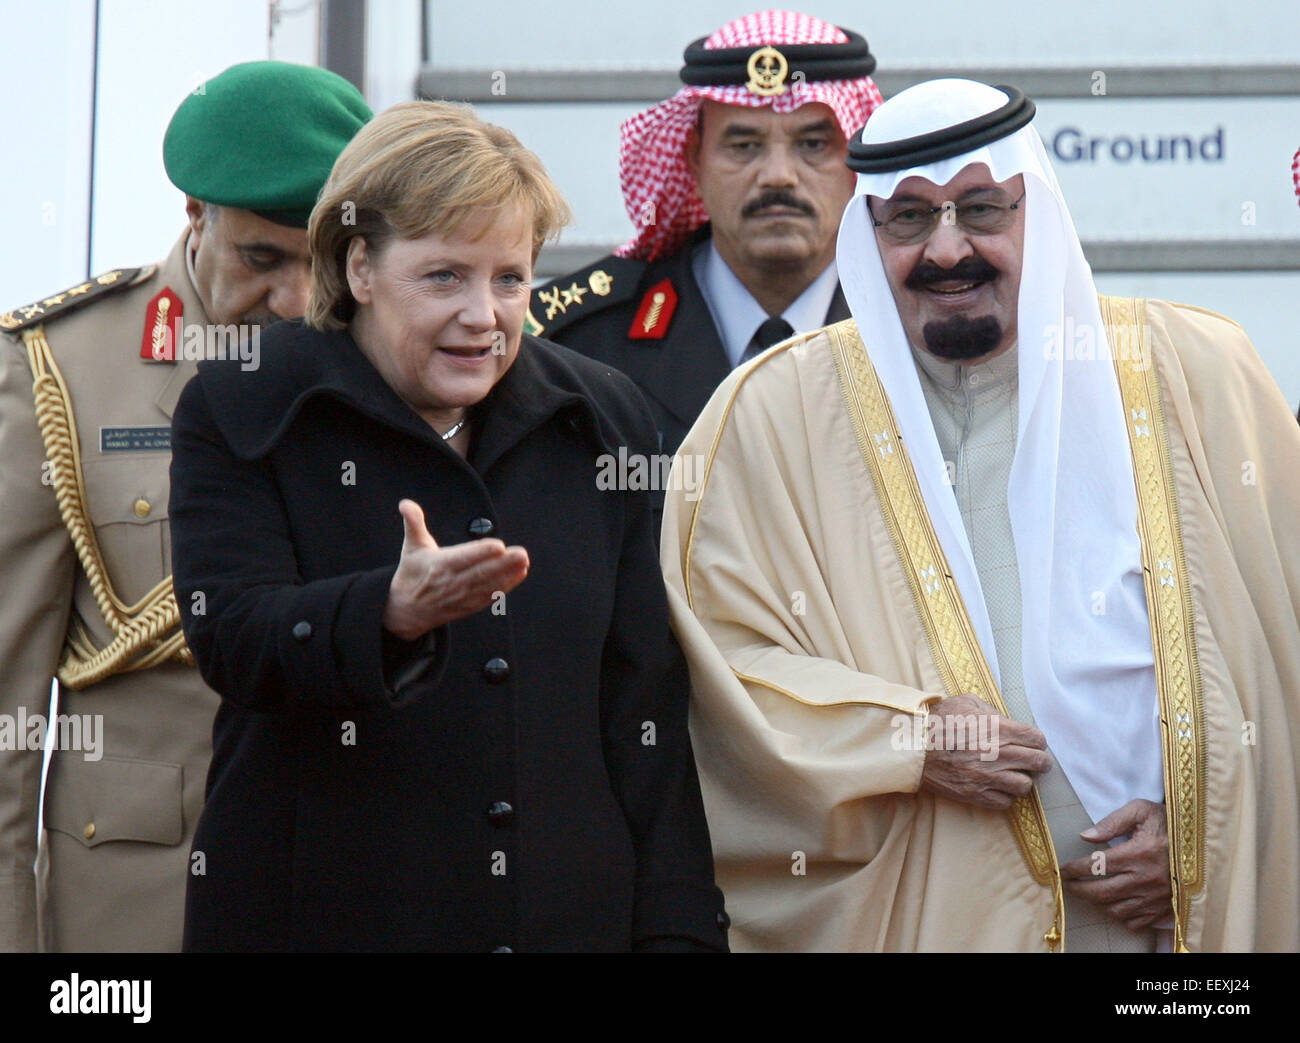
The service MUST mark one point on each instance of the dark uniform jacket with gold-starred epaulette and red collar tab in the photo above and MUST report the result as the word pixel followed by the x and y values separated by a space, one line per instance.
pixel 678 363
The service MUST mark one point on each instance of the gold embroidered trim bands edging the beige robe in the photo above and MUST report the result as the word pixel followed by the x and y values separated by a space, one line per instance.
pixel 1169 600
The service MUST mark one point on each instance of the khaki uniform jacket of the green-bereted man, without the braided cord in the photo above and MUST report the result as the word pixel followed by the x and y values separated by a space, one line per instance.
pixel 127 780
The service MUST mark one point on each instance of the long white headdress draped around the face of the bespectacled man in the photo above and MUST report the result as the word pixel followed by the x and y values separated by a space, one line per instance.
pixel 1087 655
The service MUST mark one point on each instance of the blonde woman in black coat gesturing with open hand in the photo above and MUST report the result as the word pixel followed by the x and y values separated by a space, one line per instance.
pixel 453 713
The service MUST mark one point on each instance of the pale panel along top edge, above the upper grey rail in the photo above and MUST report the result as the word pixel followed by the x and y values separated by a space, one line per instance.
pixel 952 32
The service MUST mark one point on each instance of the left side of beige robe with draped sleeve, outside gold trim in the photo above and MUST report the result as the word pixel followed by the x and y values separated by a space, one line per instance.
pixel 805 764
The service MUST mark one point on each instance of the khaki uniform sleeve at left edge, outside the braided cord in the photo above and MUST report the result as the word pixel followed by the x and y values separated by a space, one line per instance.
pixel 37 572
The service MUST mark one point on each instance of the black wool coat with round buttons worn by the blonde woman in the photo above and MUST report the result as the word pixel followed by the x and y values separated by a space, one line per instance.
pixel 522 778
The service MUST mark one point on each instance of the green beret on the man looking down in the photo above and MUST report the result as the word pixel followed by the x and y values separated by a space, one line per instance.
pixel 263 137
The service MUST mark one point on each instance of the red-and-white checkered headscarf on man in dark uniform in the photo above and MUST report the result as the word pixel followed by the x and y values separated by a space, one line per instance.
pixel 658 191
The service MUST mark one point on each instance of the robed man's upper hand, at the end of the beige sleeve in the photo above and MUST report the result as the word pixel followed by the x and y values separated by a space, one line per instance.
pixel 990 778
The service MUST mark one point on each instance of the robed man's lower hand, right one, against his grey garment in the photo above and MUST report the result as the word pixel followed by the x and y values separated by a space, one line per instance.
pixel 1134 886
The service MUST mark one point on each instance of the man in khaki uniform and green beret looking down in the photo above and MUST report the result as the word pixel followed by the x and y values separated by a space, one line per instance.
pixel 89 379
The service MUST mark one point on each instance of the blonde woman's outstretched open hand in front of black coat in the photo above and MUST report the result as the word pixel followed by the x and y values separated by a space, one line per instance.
pixel 434 586
